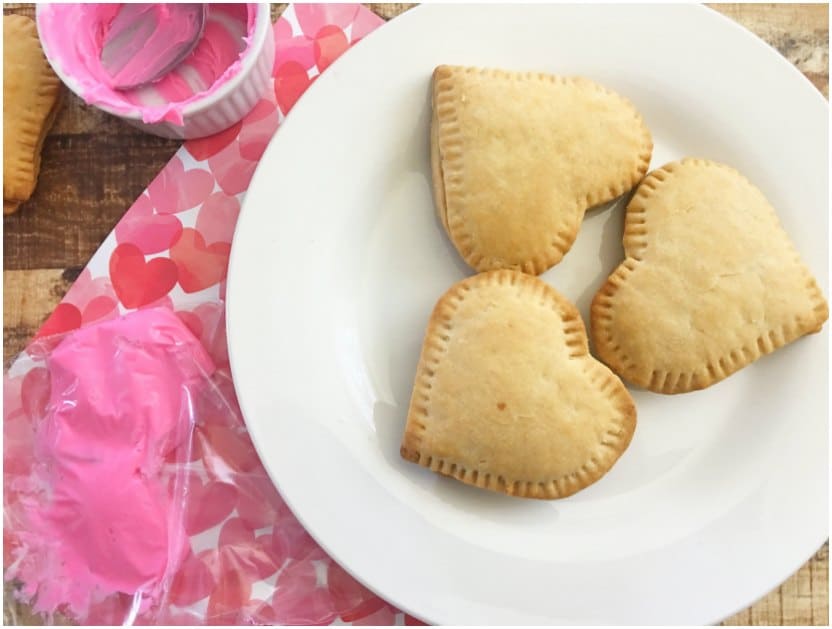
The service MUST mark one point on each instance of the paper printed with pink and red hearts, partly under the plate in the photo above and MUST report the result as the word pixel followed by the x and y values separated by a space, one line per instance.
pixel 249 560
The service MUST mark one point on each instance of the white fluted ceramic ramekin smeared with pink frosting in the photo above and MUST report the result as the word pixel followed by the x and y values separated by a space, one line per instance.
pixel 214 112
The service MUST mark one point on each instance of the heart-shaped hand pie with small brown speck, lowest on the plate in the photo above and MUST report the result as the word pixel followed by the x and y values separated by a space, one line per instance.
pixel 507 396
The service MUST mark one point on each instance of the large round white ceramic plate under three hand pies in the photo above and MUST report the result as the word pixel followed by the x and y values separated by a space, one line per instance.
pixel 338 260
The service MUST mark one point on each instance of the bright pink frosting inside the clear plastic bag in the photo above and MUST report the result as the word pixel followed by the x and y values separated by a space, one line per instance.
pixel 120 405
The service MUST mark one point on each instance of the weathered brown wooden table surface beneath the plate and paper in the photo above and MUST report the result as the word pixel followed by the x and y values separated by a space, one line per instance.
pixel 94 166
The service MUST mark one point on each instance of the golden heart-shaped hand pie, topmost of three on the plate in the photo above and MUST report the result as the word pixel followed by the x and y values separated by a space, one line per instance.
pixel 518 157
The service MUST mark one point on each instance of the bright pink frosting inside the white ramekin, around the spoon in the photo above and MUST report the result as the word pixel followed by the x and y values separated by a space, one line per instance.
pixel 73 35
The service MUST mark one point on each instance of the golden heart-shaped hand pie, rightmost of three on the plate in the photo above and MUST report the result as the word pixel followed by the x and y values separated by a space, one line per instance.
pixel 710 283
